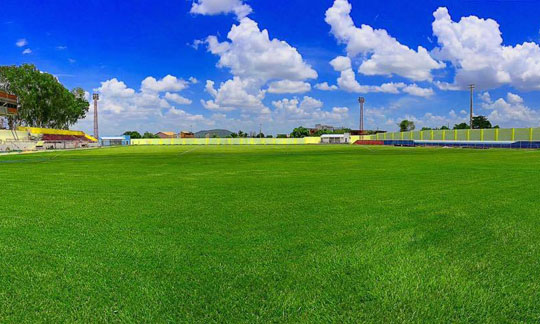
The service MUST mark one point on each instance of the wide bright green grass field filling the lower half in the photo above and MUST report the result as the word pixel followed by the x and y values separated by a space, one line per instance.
pixel 270 234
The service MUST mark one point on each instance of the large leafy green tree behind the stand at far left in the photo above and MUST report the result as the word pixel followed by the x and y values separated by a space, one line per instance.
pixel 43 100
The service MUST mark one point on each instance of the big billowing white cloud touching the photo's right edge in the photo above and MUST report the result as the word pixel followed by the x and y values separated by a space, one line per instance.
pixel 474 47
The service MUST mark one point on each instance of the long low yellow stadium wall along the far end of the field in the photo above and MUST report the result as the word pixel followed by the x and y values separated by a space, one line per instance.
pixel 227 141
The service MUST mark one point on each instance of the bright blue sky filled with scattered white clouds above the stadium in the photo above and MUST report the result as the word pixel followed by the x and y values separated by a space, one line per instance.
pixel 176 65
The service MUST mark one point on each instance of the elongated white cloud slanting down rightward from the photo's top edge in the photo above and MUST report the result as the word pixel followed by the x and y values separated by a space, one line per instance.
pixel 383 54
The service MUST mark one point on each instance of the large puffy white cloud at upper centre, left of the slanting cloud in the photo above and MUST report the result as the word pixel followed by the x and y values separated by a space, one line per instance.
pixel 252 54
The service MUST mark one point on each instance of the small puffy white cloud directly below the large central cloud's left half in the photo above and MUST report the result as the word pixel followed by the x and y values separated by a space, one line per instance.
pixel 237 93
